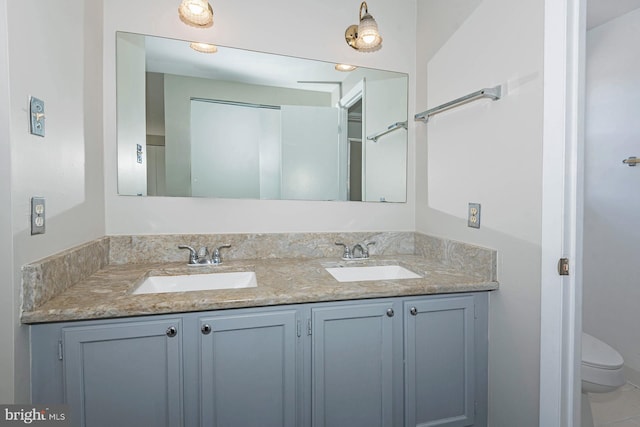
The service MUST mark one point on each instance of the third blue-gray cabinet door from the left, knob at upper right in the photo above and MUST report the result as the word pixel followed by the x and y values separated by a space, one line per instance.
pixel 352 365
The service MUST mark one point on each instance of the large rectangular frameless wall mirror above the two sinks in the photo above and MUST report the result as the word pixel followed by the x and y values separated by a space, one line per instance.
pixel 244 124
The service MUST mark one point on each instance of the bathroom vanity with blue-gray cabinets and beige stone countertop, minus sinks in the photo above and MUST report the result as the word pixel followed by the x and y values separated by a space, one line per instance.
pixel 299 349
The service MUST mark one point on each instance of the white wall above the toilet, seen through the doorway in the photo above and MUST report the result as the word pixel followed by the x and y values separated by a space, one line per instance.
pixel 611 290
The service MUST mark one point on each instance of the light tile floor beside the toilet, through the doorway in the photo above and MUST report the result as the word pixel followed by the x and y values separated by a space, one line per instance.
pixel 620 408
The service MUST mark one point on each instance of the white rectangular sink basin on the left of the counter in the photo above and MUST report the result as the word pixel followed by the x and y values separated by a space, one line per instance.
pixel 197 282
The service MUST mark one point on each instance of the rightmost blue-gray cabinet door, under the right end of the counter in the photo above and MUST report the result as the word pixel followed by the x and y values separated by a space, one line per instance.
pixel 440 366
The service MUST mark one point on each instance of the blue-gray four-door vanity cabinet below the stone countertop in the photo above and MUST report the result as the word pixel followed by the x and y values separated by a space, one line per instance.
pixel 413 361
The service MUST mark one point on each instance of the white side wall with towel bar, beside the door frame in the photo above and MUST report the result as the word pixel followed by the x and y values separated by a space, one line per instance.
pixel 489 152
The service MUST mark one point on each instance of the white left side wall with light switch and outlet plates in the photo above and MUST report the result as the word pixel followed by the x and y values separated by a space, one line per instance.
pixel 58 59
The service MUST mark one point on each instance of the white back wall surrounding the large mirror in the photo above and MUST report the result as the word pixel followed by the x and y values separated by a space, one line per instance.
pixel 319 28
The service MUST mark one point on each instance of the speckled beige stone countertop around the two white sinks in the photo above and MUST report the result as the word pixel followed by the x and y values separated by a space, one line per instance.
pixel 107 292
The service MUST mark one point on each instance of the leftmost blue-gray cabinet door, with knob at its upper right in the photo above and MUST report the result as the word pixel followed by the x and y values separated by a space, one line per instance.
pixel 124 374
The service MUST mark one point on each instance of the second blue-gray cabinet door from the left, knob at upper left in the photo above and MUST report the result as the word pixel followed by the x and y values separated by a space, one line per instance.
pixel 248 367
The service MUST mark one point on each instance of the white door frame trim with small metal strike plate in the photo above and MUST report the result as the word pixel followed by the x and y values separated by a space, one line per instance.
pixel 561 296
